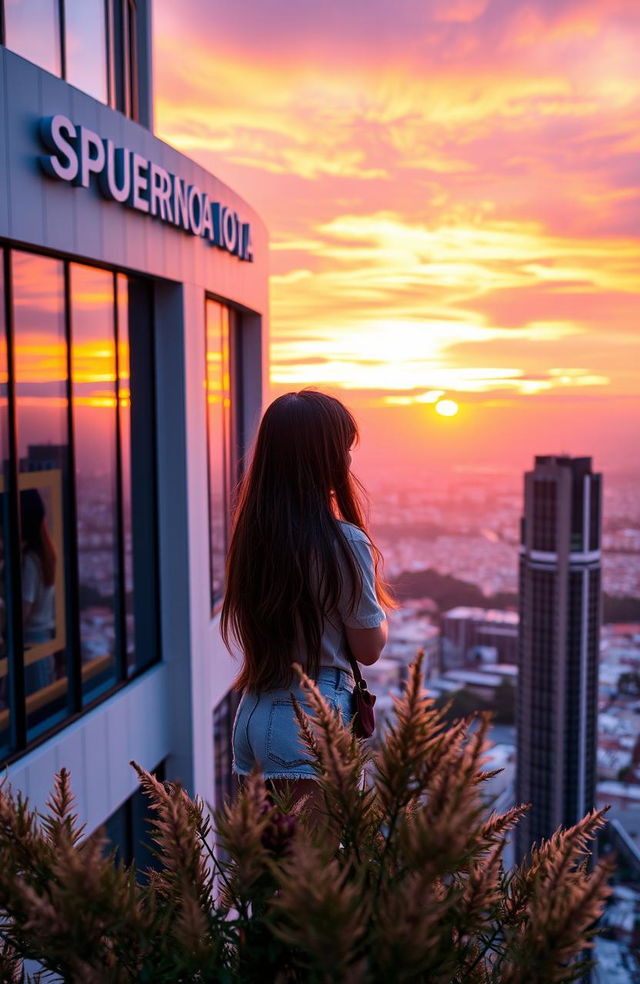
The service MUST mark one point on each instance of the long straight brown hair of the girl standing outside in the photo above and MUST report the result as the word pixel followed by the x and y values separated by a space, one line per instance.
pixel 283 570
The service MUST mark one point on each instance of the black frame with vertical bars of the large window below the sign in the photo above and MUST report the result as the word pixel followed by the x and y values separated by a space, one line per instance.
pixel 19 741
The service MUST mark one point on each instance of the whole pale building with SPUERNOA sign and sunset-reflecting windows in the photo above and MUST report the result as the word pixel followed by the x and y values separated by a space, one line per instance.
pixel 133 289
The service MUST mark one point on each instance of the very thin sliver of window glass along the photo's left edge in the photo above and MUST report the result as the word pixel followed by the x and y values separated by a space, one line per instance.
pixel 4 559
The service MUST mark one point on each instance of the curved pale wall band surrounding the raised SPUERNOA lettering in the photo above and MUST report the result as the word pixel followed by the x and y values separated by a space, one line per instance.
pixel 78 221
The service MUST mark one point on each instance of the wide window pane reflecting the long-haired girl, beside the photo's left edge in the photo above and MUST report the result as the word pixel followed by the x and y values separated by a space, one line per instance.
pixel 40 357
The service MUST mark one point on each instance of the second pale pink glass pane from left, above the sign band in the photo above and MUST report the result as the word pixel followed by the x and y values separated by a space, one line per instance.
pixel 86 46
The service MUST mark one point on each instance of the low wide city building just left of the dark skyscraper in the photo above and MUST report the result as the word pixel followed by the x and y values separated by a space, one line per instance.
pixel 475 635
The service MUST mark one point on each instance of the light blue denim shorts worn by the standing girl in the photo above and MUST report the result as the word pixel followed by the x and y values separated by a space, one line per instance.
pixel 265 730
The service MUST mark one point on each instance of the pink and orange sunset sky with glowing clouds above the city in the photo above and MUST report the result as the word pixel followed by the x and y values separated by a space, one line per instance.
pixel 452 189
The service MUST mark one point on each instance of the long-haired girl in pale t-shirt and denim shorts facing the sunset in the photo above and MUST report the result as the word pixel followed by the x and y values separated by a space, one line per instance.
pixel 302 581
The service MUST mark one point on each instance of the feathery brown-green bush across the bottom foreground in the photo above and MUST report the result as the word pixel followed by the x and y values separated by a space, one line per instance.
pixel 399 878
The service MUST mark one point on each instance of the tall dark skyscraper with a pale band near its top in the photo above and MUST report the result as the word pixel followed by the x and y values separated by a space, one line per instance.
pixel 560 566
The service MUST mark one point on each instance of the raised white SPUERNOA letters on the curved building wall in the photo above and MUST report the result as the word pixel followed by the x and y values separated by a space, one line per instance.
pixel 126 177
